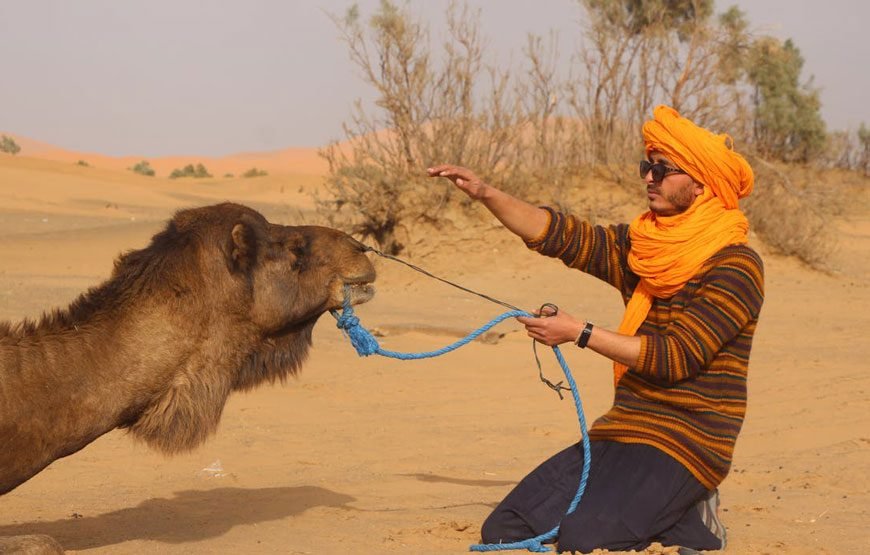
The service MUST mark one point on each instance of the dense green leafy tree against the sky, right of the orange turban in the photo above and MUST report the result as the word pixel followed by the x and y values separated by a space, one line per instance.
pixel 787 122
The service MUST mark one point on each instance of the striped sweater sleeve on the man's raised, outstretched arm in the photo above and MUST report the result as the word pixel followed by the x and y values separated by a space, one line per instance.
pixel 597 250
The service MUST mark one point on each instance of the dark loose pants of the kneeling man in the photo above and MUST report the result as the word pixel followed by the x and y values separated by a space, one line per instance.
pixel 635 495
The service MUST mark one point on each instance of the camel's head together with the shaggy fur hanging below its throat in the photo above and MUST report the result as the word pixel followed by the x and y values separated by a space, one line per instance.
pixel 237 298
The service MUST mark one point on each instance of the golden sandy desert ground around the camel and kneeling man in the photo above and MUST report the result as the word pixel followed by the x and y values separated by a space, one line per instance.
pixel 372 455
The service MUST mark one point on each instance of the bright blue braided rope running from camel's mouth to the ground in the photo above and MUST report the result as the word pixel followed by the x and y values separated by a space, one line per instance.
pixel 366 344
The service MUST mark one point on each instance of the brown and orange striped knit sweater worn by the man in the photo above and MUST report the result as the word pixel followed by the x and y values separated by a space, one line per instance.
pixel 686 395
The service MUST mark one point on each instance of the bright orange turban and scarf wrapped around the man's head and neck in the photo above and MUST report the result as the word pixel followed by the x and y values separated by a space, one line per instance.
pixel 667 251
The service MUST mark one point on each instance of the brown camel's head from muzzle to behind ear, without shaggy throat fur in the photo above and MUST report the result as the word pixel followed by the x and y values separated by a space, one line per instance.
pixel 275 278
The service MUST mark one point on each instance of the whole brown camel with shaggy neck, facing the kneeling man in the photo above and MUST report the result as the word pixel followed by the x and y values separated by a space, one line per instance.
pixel 221 300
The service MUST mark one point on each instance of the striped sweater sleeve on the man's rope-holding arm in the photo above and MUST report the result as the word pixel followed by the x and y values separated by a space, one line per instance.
pixel 729 296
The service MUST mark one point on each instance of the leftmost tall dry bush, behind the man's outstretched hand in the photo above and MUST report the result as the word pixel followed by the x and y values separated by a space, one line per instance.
pixel 426 113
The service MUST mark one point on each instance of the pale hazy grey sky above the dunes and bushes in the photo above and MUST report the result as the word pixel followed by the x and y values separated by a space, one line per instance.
pixel 201 77
